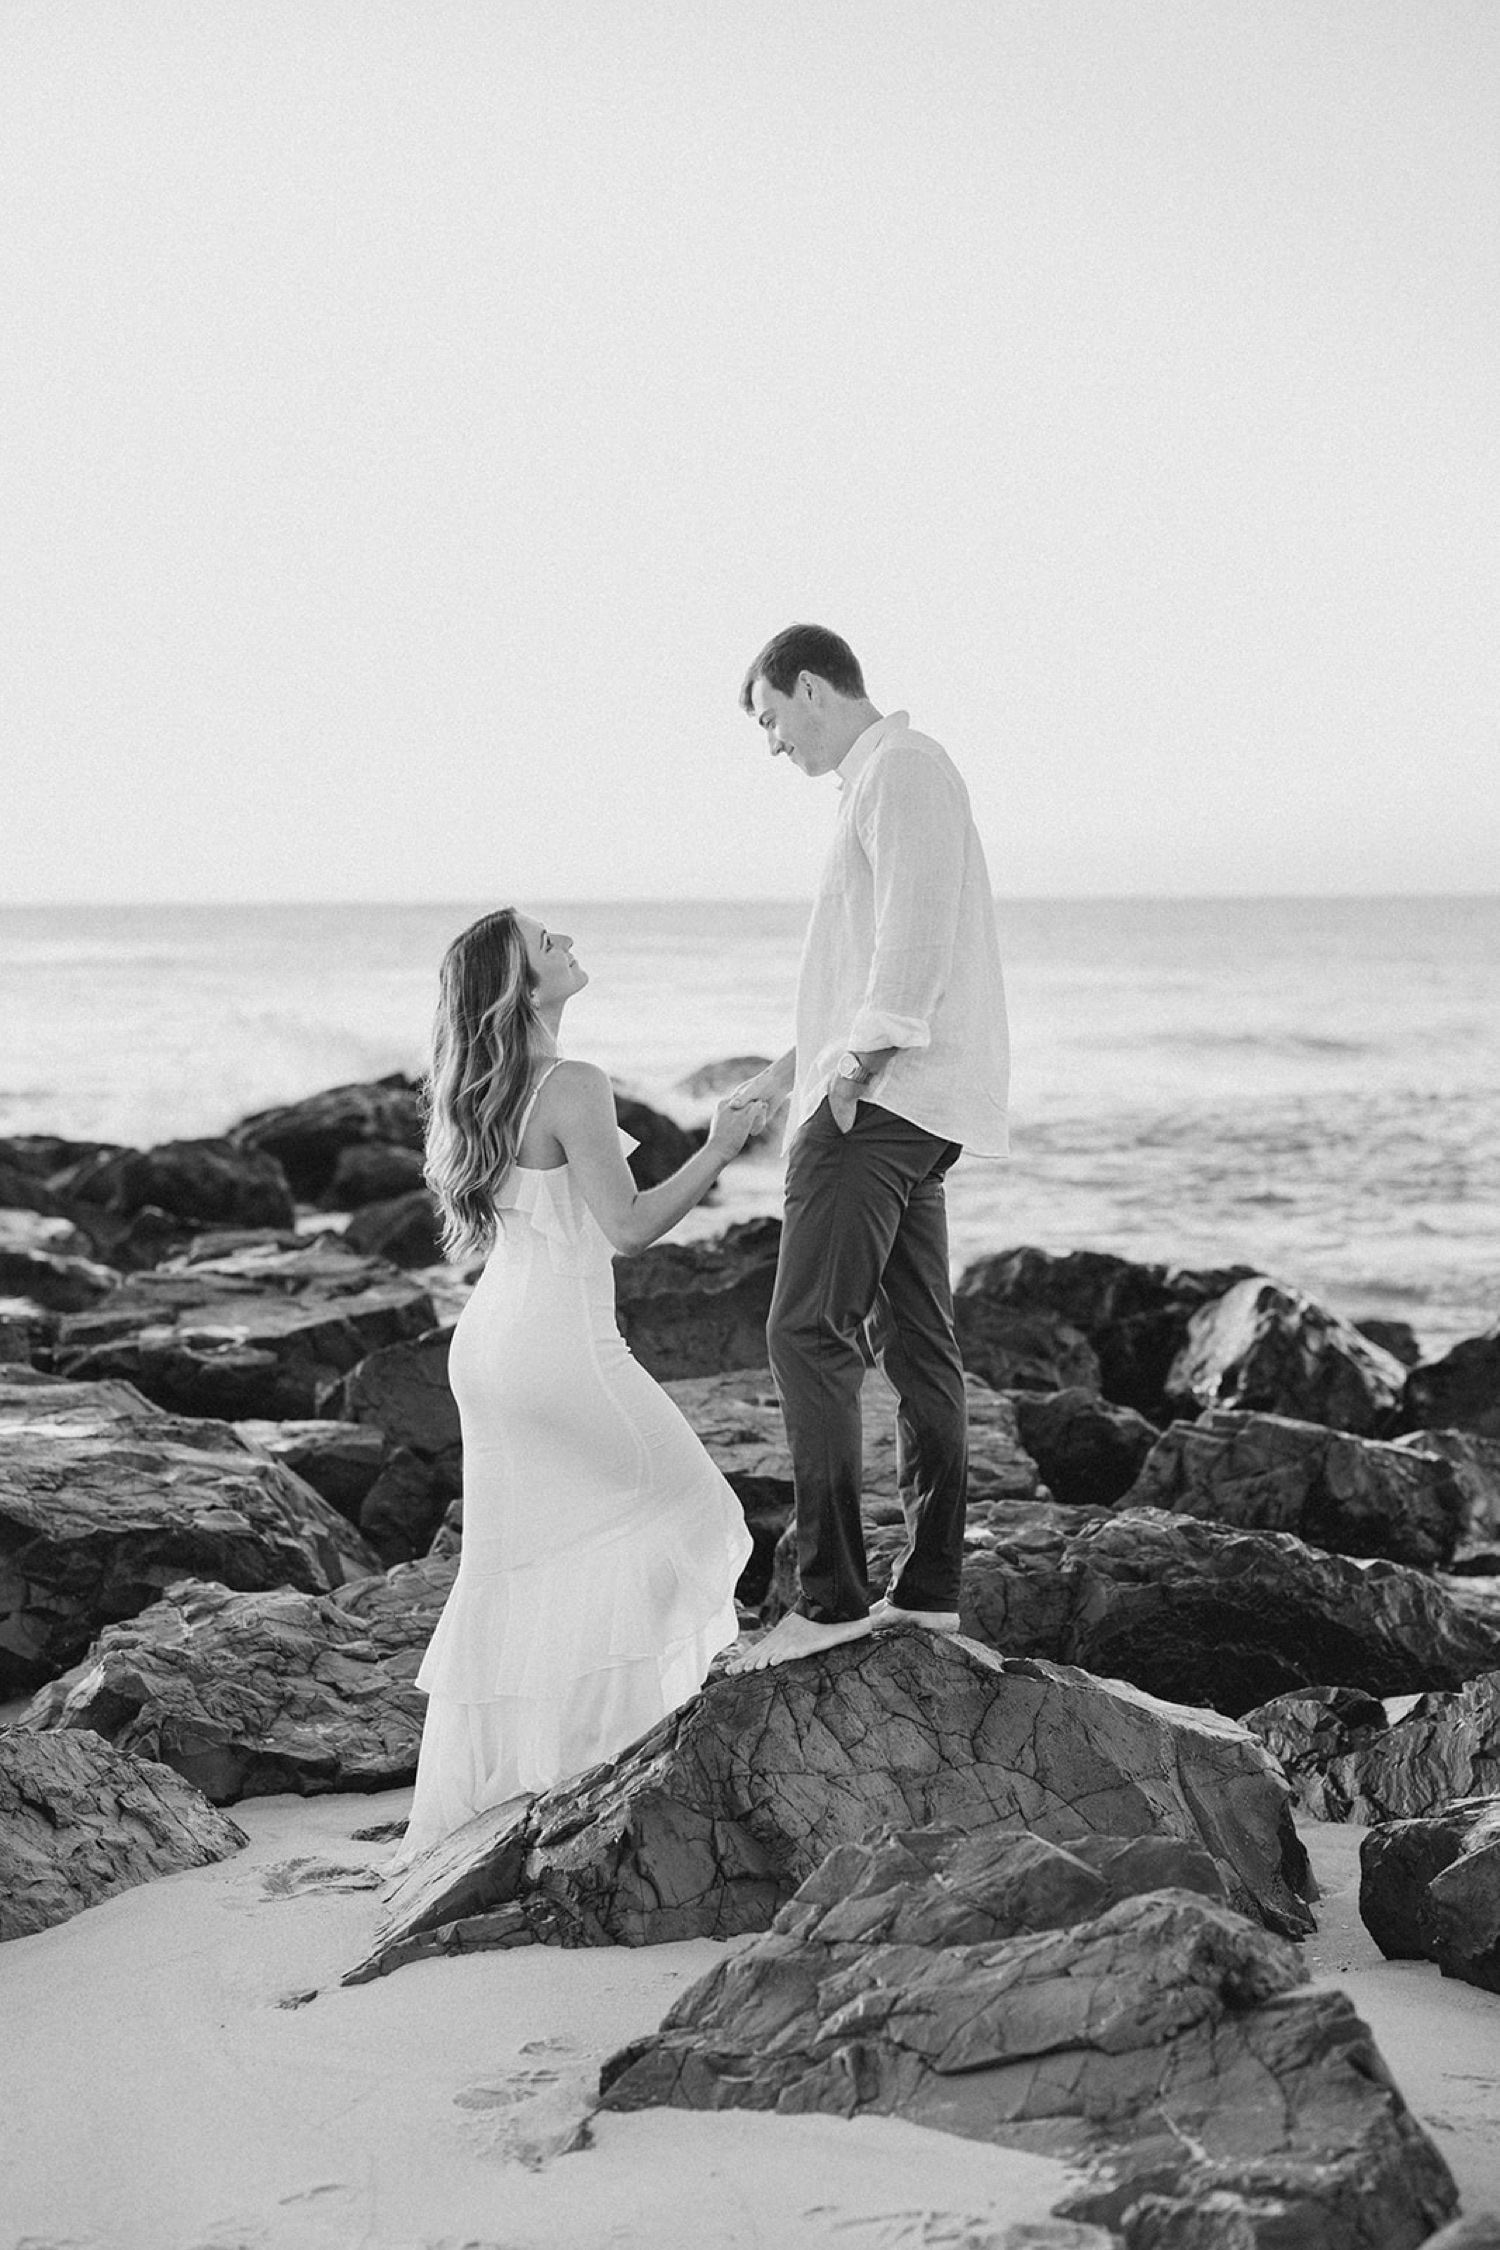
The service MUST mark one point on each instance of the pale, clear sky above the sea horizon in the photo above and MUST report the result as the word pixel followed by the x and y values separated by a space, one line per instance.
pixel 417 415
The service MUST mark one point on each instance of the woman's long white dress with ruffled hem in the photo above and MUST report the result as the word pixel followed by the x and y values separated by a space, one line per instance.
pixel 602 1547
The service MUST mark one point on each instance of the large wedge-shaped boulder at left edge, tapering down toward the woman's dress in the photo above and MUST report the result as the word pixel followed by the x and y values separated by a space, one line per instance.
pixel 105 1504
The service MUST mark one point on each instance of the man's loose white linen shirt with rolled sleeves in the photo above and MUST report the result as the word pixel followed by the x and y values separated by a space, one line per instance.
pixel 903 948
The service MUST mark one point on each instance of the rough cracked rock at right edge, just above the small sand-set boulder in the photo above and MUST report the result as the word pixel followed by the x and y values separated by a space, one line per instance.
pixel 1445 1747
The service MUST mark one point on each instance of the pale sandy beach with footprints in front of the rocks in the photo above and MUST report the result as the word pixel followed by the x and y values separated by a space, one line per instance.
pixel 183 2071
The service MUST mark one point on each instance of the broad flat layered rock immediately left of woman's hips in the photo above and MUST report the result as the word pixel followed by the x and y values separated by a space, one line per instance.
pixel 255 1335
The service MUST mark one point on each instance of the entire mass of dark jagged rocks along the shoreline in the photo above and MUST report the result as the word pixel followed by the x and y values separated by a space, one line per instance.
pixel 1036 1887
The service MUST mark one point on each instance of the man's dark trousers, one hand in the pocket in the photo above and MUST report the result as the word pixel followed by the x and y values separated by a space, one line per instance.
pixel 865 1241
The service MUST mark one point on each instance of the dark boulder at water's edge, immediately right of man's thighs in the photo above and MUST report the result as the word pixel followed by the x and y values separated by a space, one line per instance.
pixel 1135 1317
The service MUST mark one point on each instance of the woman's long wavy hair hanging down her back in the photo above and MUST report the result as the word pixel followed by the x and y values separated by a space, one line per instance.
pixel 485 1047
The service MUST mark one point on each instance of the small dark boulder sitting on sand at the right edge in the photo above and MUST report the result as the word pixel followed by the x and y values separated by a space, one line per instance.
pixel 1431 1889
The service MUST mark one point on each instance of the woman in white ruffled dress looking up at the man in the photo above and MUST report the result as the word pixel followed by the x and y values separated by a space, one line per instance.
pixel 602 1547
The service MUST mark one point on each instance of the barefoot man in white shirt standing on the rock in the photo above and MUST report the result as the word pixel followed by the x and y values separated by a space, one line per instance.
pixel 901 1061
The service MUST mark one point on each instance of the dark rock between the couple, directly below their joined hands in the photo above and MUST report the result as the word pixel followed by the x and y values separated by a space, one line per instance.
pixel 701 1308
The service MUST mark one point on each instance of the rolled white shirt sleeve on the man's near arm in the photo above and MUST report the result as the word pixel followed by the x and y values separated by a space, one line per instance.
pixel 912 825
